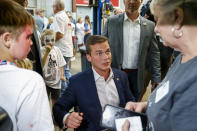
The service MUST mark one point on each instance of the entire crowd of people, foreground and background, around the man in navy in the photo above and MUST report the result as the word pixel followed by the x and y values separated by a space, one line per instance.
pixel 135 47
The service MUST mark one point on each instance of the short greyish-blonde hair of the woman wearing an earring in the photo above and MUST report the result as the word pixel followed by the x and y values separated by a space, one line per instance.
pixel 168 9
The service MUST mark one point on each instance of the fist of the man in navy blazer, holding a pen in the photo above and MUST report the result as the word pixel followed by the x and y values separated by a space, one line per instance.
pixel 74 120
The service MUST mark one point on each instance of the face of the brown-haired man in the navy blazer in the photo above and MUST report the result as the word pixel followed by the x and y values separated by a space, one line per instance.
pixel 100 57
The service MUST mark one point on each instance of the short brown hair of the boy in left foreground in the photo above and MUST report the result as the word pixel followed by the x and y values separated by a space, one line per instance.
pixel 13 17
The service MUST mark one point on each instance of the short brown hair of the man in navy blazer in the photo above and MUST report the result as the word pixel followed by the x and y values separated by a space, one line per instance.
pixel 94 39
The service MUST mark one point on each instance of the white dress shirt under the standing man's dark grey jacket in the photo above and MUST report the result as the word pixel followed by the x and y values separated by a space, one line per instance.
pixel 131 42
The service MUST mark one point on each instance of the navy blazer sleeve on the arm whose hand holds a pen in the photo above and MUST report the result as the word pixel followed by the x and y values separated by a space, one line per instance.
pixel 64 104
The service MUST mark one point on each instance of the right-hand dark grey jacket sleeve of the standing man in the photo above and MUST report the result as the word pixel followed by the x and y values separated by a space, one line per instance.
pixel 155 60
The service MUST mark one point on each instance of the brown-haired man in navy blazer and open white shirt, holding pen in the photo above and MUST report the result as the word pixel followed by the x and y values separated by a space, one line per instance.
pixel 92 89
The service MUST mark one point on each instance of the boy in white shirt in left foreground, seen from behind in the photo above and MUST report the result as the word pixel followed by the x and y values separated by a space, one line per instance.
pixel 22 92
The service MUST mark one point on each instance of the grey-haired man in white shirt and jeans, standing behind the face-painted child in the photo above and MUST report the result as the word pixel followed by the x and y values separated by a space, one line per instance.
pixel 63 30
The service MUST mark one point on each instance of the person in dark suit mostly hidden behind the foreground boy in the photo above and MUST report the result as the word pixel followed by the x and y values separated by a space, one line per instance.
pixel 34 55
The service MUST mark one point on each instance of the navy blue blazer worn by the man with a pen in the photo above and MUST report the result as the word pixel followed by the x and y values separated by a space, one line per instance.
pixel 82 92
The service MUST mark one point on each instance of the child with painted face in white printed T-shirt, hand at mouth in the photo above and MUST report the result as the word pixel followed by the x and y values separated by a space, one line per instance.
pixel 53 62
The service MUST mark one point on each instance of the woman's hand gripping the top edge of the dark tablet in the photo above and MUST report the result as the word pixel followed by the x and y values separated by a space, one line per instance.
pixel 136 106
